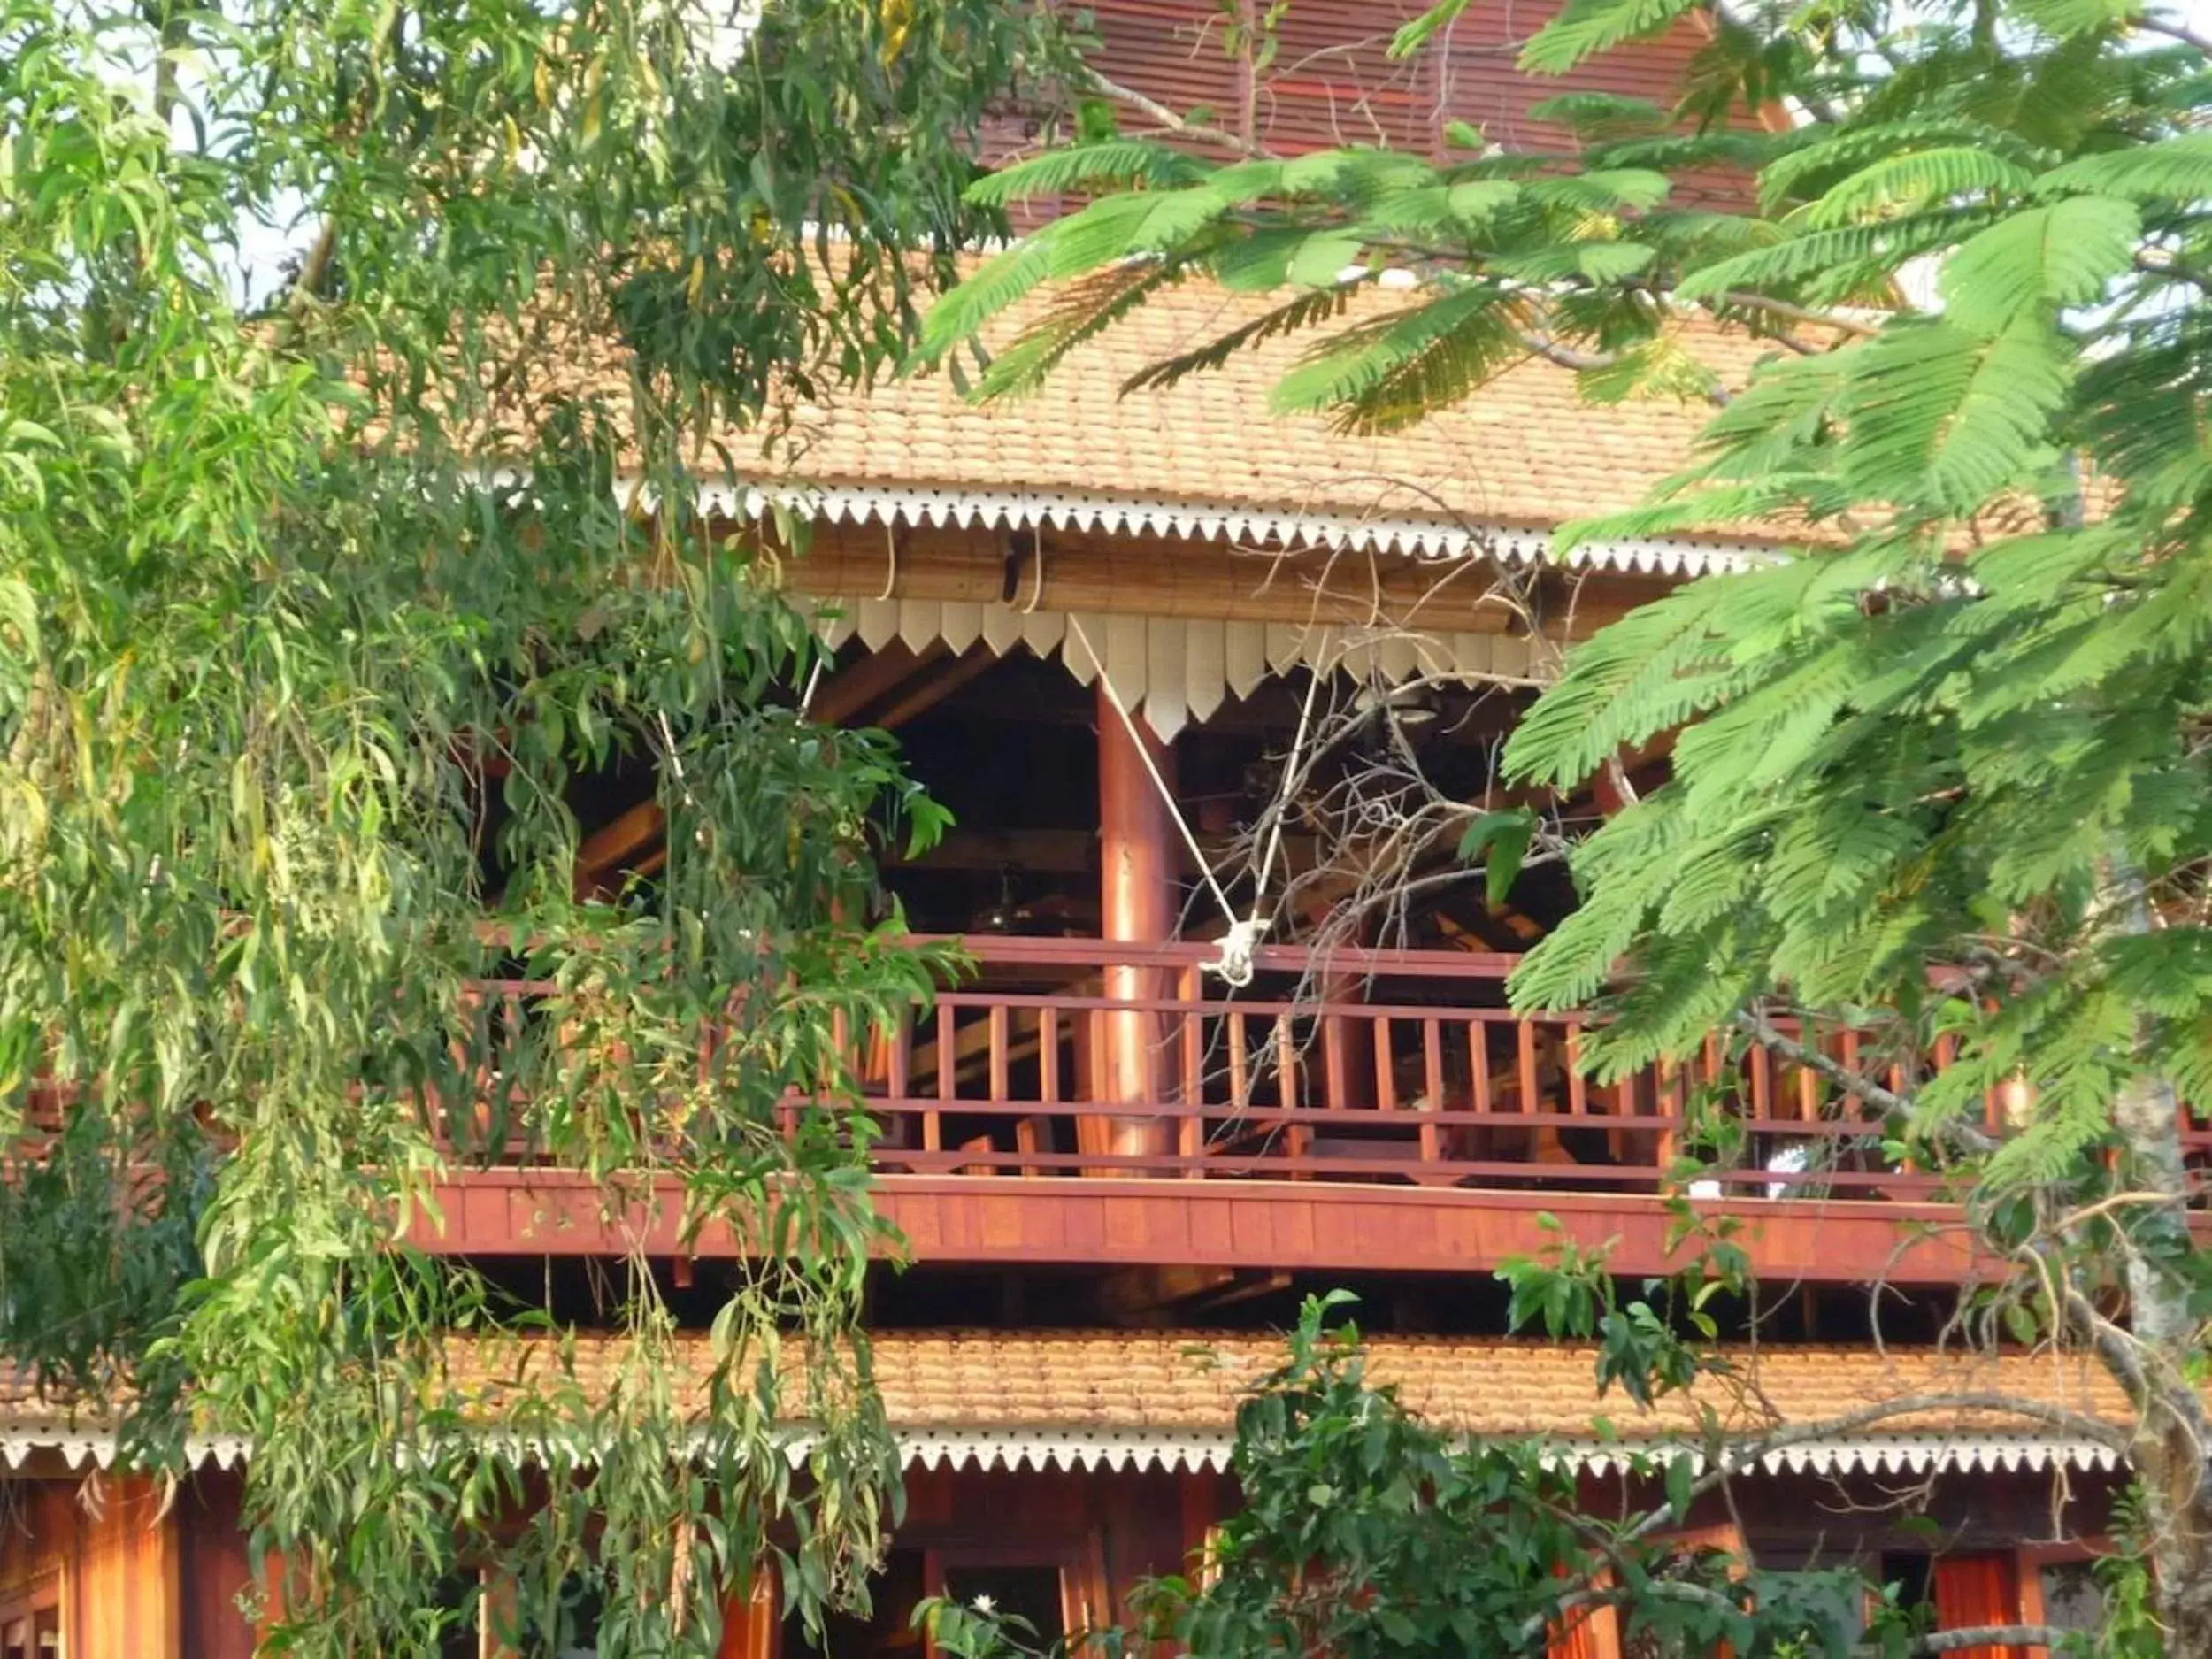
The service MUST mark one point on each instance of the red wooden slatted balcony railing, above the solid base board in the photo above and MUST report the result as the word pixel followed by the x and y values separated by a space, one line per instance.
pixel 1370 1067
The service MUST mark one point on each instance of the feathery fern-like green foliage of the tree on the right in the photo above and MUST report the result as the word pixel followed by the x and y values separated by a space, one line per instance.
pixel 1937 773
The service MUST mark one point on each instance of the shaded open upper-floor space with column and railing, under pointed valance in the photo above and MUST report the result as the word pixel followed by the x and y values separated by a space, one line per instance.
pixel 1092 873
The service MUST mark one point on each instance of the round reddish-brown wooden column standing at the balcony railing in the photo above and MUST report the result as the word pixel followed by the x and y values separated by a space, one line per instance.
pixel 1136 906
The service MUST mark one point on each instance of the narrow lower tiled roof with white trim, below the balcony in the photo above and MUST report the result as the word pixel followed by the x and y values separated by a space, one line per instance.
pixel 1134 1399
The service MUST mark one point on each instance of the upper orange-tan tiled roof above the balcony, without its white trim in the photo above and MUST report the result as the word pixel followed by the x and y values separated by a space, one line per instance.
pixel 1523 452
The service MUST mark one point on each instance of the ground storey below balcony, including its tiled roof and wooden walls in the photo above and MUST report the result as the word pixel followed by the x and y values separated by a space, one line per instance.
pixel 1056 1472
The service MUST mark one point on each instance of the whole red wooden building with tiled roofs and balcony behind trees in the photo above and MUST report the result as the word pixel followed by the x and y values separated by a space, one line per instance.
pixel 1094 623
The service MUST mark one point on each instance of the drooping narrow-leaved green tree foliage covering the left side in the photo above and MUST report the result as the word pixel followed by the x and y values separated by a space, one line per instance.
pixel 295 700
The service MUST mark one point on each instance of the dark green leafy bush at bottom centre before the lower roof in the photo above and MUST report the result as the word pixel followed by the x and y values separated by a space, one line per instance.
pixel 1375 1536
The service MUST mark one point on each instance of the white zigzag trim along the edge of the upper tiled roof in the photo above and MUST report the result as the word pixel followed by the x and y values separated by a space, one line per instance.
pixel 1204 521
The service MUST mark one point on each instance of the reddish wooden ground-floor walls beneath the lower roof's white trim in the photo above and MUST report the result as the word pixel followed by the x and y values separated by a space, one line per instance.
pixel 109 1567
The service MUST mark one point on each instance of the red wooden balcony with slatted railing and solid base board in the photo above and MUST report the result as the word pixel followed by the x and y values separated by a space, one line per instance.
pixel 1094 1103
